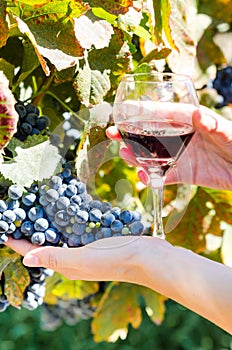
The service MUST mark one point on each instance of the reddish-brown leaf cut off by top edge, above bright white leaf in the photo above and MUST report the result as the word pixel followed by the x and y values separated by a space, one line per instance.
pixel 115 7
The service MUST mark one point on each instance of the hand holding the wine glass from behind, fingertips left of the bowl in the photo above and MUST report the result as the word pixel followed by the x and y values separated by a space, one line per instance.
pixel 209 153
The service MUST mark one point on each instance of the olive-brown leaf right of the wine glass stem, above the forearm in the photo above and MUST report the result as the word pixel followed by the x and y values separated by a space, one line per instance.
pixel 190 231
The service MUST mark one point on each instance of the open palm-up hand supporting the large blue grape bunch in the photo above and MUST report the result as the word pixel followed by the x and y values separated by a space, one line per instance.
pixel 115 258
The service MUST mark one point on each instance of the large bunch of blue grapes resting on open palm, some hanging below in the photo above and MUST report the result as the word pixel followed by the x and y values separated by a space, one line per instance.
pixel 60 212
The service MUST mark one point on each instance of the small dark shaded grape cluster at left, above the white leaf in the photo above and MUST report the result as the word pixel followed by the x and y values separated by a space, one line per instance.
pixel 30 121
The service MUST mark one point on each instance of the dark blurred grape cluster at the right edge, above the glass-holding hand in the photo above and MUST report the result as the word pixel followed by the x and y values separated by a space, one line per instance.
pixel 223 84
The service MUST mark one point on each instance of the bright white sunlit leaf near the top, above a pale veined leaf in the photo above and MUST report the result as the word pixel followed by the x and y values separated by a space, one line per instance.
pixel 92 33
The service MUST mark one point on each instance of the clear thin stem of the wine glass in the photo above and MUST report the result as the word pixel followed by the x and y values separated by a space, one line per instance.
pixel 157 185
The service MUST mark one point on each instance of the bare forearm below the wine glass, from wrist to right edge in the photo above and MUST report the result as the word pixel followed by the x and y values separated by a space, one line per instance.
pixel 198 283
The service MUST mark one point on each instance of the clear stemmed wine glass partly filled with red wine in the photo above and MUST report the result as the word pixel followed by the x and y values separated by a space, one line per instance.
pixel 153 113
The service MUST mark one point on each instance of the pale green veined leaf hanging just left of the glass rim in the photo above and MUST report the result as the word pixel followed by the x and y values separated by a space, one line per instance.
pixel 91 85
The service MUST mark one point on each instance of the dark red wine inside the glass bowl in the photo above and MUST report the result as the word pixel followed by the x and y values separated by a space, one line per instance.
pixel 161 142
